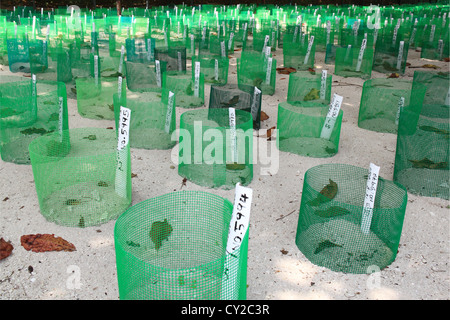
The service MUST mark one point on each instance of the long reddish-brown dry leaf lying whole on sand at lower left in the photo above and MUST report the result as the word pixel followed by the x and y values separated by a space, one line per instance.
pixel 45 242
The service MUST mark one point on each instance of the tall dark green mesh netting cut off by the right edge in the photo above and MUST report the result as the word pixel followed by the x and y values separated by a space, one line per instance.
pixel 422 154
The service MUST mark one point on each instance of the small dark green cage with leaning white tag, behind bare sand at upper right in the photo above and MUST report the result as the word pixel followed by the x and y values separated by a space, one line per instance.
pixel 349 62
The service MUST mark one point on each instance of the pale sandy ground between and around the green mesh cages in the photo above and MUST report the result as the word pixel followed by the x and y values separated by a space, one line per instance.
pixel 277 270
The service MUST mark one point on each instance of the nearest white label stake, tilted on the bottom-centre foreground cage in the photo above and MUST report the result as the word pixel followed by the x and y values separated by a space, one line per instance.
pixel 239 225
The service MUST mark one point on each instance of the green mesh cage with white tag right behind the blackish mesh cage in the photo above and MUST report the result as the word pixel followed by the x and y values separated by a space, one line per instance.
pixel 258 70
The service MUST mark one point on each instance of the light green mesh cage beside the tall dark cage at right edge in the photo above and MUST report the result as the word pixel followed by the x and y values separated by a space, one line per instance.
pixel 382 100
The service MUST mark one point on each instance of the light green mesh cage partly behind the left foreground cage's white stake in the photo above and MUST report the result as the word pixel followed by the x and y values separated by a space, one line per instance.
pixel 153 118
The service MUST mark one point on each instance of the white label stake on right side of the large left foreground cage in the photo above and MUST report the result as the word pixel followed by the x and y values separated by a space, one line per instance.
pixel 122 155
